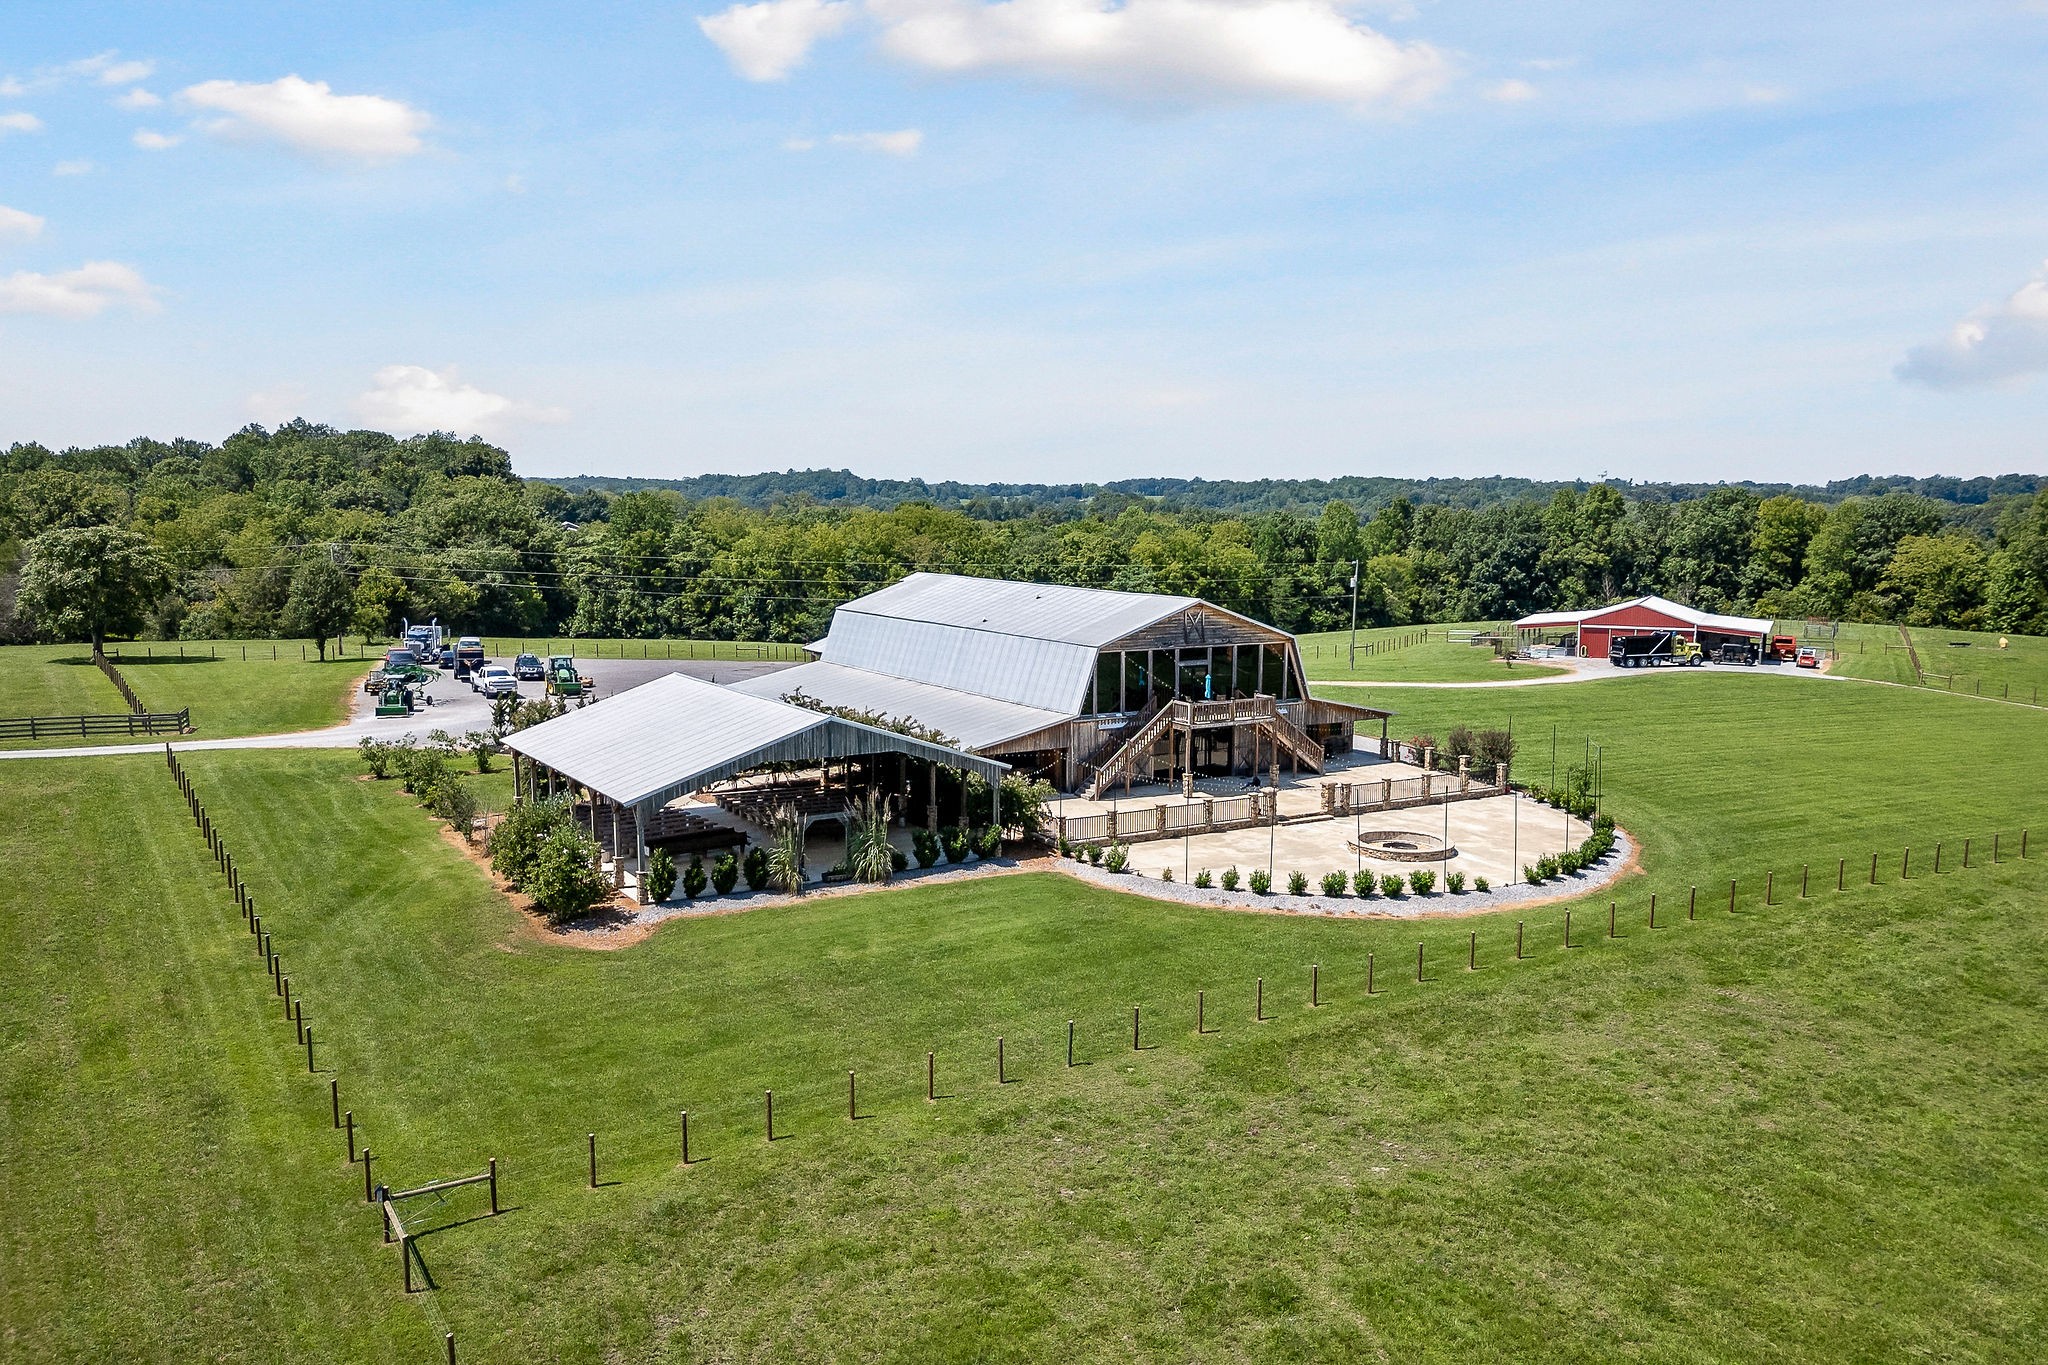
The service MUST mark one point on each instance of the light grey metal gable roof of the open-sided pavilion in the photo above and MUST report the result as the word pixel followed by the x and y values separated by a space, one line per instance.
pixel 677 736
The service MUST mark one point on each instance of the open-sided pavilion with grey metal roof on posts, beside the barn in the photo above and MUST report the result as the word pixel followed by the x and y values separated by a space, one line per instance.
pixel 677 736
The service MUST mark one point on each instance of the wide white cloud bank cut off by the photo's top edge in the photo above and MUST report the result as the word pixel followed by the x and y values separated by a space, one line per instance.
pixel 1306 50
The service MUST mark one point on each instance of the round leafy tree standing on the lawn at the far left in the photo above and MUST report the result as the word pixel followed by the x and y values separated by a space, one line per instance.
pixel 91 582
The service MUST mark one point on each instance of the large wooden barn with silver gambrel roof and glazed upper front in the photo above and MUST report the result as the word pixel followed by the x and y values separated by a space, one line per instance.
pixel 1080 687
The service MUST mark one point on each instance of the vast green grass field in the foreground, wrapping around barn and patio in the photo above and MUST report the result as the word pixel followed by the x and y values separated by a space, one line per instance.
pixel 1797 1133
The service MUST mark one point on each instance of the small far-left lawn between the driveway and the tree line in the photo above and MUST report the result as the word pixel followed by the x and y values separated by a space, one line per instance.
pixel 226 693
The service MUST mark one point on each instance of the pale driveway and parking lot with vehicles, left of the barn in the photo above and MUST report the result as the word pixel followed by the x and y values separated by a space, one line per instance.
pixel 454 709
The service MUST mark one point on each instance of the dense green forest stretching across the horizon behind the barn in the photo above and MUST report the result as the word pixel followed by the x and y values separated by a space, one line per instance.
pixel 312 531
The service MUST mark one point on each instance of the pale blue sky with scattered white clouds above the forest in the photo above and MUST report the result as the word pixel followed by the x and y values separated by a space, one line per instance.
pixel 1041 240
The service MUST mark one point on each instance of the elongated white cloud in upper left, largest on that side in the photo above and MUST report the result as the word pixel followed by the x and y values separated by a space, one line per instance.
pixel 308 118
